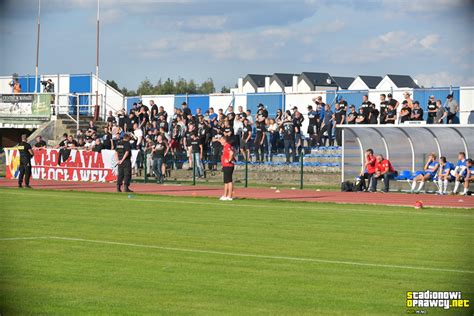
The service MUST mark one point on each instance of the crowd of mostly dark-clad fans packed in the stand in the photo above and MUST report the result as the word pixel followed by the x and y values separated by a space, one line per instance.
pixel 162 138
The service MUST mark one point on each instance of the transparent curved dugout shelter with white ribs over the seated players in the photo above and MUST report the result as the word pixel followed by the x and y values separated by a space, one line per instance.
pixel 406 146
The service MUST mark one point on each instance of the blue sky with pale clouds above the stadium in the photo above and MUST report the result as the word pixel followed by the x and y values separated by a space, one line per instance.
pixel 432 40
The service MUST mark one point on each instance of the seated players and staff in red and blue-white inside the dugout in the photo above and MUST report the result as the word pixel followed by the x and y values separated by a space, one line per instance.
pixel 440 171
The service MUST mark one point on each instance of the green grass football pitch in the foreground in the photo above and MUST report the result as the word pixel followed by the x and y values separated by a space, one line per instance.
pixel 102 253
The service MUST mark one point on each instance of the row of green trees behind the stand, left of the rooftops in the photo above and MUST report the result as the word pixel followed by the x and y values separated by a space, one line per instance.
pixel 169 86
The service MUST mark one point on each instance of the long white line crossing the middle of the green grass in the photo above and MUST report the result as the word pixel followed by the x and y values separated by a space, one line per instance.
pixel 247 255
